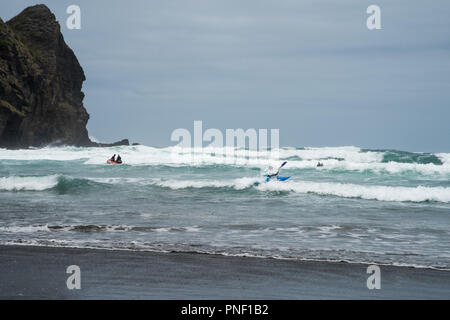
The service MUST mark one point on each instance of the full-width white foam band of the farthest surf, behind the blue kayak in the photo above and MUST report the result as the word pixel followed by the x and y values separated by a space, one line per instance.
pixel 334 158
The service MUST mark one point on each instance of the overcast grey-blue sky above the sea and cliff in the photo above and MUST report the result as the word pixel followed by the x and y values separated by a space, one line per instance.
pixel 310 68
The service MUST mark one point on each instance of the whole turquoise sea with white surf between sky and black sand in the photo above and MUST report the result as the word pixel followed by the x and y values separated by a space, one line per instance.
pixel 370 206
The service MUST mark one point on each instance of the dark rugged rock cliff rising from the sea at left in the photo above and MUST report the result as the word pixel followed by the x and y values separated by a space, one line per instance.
pixel 41 101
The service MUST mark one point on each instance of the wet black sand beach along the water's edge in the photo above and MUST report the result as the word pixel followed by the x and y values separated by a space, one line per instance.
pixel 40 273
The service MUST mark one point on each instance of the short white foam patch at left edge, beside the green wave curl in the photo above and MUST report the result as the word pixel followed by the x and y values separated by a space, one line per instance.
pixel 15 183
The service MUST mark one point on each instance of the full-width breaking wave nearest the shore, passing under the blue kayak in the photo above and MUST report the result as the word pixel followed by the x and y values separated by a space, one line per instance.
pixel 67 185
